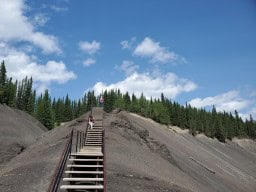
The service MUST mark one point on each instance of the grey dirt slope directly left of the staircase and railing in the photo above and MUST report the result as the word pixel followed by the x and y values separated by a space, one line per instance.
pixel 33 169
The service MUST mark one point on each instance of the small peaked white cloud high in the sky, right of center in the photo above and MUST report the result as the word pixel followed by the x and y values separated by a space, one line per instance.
pixel 148 48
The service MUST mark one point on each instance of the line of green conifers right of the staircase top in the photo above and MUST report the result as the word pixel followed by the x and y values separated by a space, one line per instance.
pixel 221 125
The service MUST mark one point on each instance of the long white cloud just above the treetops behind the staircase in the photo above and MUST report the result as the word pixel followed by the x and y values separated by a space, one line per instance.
pixel 169 84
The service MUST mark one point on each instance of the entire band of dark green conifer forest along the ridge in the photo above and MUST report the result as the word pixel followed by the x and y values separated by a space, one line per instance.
pixel 52 111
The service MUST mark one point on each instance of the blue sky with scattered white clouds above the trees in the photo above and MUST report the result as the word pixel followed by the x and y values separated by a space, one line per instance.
pixel 202 51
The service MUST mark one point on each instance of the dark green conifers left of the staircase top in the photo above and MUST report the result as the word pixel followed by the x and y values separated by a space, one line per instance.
pixel 50 112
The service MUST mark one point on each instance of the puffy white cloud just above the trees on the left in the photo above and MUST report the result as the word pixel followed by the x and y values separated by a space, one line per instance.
pixel 19 65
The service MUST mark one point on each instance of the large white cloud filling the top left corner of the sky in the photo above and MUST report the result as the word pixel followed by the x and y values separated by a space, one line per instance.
pixel 15 26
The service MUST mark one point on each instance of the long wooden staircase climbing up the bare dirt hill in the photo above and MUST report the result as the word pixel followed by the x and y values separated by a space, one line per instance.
pixel 85 168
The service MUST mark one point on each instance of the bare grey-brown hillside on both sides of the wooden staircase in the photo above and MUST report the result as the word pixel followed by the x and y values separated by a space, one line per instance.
pixel 141 155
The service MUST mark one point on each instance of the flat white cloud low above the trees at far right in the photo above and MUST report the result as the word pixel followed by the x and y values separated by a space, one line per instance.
pixel 229 101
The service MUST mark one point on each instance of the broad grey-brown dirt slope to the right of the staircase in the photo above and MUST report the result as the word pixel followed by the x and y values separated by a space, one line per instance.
pixel 145 156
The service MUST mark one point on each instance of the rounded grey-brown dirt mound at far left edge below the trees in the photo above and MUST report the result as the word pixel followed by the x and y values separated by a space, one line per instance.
pixel 18 130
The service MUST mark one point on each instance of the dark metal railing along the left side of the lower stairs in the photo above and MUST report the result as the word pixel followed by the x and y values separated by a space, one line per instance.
pixel 54 187
